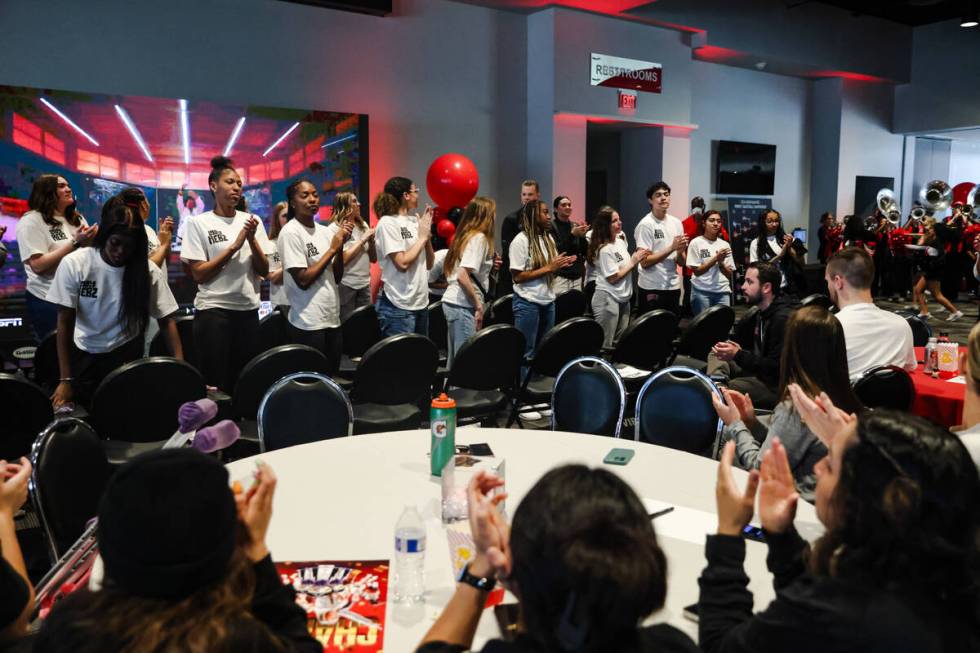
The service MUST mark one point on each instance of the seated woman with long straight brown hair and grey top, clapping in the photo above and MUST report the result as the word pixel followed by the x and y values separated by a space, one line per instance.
pixel 814 357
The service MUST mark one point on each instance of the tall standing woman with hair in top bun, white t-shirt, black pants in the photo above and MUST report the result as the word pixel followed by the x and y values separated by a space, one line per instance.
pixel 225 250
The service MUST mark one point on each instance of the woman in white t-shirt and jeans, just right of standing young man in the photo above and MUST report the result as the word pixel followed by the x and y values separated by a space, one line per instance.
pixel 710 259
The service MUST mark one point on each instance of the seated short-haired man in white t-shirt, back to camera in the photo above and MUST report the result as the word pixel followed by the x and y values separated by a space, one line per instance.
pixel 873 336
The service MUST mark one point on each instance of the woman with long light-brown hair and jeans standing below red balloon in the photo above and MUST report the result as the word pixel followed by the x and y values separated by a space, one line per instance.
pixel 467 269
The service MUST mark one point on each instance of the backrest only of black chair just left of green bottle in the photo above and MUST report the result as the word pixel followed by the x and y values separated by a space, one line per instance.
pixel 398 370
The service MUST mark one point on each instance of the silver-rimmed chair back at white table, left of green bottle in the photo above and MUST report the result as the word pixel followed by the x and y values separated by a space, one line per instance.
pixel 301 408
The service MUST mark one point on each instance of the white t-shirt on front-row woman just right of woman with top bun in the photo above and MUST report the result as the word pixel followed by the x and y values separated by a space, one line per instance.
pixel 316 307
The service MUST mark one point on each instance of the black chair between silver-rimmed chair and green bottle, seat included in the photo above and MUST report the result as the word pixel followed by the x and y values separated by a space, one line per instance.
pixel 392 383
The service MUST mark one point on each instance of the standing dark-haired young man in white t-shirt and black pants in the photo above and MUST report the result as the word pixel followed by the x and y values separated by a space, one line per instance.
pixel 662 235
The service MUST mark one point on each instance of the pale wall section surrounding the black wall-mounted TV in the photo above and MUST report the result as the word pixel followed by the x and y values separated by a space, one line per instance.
pixel 734 104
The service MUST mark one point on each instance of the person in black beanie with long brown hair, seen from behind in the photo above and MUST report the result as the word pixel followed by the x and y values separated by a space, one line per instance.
pixel 186 567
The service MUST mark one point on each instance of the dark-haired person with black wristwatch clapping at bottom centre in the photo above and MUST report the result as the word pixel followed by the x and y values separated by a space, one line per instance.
pixel 583 560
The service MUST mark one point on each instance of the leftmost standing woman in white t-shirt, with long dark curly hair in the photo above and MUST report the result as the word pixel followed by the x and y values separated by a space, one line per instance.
pixel 46 234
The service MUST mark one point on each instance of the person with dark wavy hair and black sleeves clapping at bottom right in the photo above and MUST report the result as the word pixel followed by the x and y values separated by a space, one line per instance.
pixel 897 567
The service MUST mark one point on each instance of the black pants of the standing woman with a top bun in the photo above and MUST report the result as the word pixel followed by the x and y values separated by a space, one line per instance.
pixel 225 341
